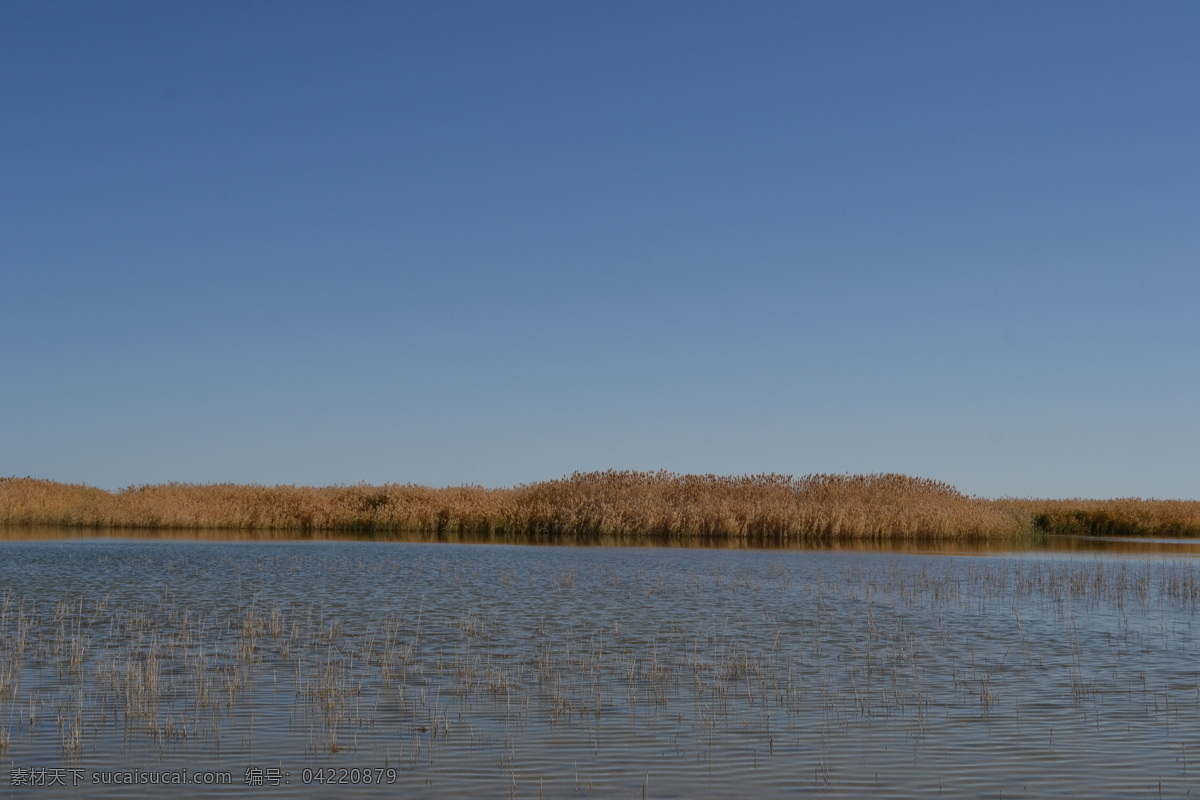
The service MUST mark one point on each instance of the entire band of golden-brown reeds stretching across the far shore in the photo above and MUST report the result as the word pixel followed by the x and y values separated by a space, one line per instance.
pixel 658 507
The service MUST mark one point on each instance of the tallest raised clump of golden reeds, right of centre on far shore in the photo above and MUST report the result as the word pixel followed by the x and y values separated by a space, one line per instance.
pixel 760 508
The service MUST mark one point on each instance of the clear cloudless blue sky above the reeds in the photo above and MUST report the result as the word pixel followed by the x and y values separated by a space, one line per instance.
pixel 495 243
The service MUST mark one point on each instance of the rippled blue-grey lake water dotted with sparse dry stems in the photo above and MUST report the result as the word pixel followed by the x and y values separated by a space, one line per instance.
pixel 452 671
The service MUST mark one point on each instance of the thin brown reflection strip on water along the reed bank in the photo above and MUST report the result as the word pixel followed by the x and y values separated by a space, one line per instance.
pixel 1040 544
